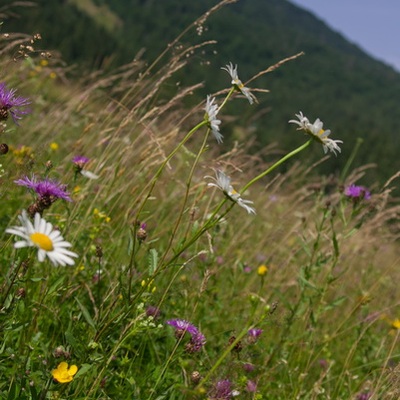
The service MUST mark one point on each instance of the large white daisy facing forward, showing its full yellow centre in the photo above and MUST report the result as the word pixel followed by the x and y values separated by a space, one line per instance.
pixel 41 234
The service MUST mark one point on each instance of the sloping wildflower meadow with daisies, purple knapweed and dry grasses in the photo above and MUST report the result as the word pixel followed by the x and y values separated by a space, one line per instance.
pixel 145 255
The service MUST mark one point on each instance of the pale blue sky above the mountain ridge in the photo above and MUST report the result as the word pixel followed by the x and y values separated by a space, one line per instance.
pixel 374 25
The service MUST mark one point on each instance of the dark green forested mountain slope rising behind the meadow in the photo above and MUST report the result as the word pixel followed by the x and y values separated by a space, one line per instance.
pixel 355 95
